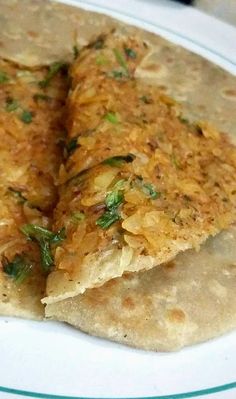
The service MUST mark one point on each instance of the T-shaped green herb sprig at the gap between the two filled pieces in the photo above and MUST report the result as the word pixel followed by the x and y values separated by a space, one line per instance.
pixel 45 239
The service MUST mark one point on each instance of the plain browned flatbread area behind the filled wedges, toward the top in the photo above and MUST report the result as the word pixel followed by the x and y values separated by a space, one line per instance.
pixel 48 32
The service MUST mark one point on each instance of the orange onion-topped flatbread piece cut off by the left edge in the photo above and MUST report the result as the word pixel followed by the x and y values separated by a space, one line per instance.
pixel 30 127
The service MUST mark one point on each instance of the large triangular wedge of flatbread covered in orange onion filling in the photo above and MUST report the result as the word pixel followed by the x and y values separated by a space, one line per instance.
pixel 143 183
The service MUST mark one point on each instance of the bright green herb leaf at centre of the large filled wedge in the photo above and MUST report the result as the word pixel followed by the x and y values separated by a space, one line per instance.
pixel 113 200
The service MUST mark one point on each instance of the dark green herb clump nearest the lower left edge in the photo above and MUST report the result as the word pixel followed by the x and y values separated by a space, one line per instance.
pixel 18 269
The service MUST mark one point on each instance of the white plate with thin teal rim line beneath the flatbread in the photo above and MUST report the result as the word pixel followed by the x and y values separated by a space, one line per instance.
pixel 52 360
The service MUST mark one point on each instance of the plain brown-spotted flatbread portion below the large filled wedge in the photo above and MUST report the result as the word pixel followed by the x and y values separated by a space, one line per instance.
pixel 186 301
